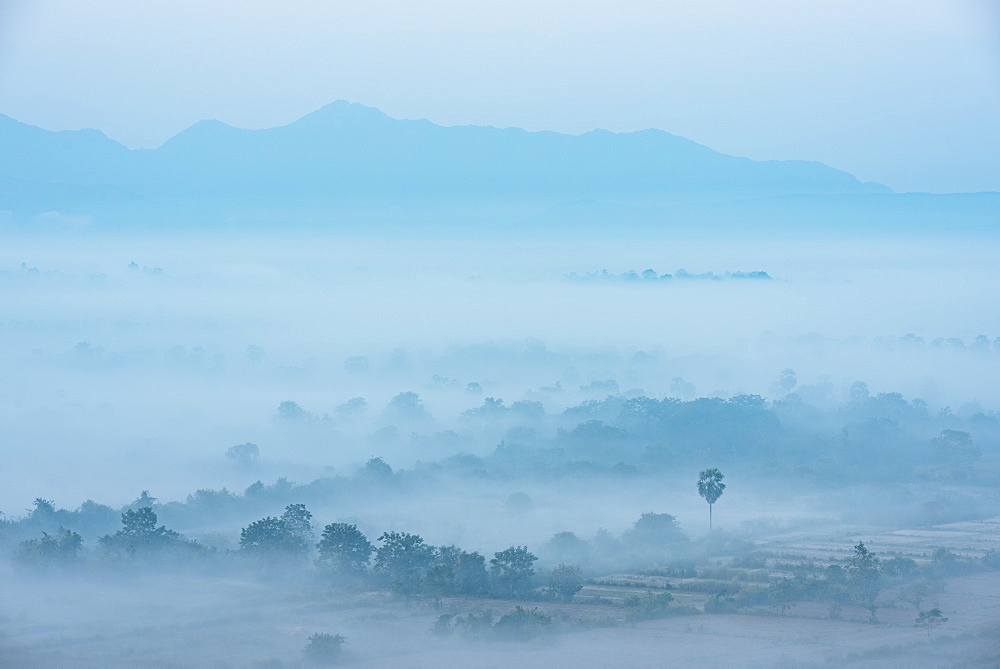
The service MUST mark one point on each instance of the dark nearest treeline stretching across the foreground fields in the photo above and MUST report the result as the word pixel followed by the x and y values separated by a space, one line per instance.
pixel 405 565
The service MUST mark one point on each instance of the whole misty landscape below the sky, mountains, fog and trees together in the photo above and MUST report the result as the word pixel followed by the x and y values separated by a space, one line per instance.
pixel 361 391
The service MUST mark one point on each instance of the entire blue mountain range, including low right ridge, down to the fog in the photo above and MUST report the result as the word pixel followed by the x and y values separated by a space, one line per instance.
pixel 351 167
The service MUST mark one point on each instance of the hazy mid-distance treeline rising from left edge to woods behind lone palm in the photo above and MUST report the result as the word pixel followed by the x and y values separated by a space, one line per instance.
pixel 879 439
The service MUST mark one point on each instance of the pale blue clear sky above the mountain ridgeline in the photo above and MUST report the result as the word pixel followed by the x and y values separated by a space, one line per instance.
pixel 902 92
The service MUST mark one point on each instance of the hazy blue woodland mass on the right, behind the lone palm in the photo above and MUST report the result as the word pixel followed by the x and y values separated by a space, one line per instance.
pixel 872 437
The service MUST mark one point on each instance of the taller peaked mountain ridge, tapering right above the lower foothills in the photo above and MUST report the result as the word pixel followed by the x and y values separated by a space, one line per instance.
pixel 356 153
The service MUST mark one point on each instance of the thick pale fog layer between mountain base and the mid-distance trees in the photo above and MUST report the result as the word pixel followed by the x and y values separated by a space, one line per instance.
pixel 120 378
